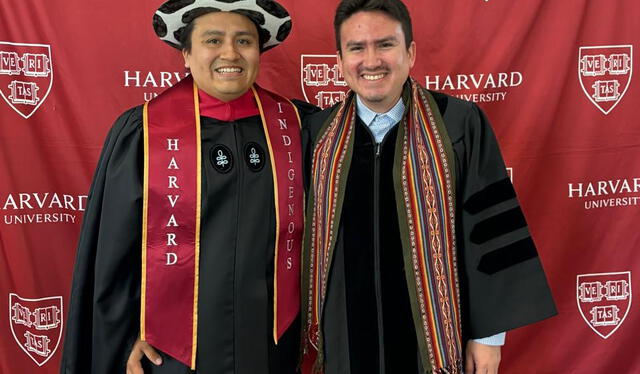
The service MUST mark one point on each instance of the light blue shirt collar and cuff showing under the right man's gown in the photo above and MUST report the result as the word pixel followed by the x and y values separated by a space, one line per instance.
pixel 380 124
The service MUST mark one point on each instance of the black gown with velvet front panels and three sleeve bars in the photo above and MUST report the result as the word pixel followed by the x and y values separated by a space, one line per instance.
pixel 367 322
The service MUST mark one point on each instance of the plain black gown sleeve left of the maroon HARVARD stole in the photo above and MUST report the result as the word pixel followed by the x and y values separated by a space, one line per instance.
pixel 103 319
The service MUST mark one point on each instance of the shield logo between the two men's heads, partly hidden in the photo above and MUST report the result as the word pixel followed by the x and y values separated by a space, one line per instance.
pixel 322 83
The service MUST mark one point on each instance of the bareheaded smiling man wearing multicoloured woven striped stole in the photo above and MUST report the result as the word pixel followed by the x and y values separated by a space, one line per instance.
pixel 417 256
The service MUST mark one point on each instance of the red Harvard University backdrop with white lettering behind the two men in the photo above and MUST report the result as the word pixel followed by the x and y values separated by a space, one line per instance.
pixel 556 78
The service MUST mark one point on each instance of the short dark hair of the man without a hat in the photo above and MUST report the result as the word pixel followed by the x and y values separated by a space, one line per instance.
pixel 392 8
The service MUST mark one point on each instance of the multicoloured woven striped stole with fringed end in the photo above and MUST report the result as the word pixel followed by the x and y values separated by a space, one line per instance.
pixel 426 211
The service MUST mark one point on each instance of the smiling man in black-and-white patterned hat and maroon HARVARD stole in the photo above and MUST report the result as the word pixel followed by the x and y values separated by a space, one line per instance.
pixel 188 258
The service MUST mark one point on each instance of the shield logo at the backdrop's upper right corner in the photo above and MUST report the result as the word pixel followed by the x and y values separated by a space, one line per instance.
pixel 605 74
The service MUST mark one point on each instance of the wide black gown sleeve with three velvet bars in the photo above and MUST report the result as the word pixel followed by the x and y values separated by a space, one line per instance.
pixel 502 280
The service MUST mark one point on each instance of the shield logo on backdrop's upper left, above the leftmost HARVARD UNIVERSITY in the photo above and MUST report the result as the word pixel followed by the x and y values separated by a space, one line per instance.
pixel 26 75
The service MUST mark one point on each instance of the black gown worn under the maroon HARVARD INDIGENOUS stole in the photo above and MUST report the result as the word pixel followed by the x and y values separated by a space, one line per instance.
pixel 235 308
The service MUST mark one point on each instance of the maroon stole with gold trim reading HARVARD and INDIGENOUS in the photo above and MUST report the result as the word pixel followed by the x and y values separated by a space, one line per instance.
pixel 171 215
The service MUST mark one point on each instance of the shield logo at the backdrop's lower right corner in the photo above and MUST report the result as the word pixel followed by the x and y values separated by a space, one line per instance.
pixel 604 300
